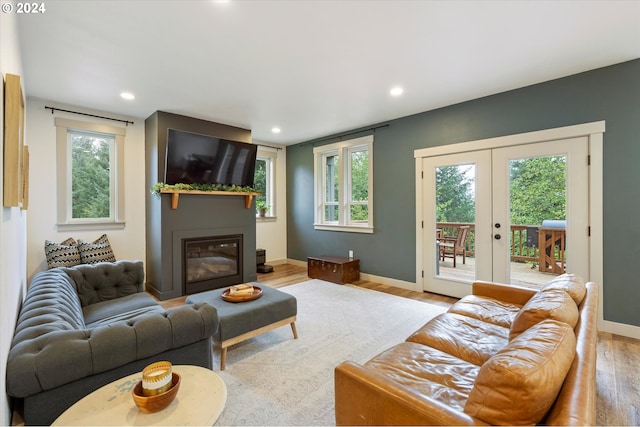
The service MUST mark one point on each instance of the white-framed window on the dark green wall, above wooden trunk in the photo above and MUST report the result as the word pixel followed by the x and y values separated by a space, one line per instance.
pixel 344 186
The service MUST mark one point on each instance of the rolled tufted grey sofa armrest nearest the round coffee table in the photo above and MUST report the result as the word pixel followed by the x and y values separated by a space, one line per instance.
pixel 62 357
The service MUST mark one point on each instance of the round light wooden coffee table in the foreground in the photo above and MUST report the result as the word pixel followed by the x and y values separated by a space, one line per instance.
pixel 200 401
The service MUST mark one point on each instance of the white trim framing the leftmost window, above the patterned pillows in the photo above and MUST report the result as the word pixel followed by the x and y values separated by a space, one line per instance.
pixel 63 176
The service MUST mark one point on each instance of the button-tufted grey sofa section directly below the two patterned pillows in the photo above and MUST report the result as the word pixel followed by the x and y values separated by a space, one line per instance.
pixel 107 280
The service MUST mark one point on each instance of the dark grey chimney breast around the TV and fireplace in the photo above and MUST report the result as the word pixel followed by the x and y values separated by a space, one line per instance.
pixel 196 217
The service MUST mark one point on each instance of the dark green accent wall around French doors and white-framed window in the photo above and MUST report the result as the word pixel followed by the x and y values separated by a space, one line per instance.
pixel 611 94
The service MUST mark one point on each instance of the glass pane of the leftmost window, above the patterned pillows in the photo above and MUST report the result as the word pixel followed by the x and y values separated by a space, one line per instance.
pixel 90 175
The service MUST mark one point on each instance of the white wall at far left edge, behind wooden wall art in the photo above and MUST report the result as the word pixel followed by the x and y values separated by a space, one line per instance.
pixel 13 221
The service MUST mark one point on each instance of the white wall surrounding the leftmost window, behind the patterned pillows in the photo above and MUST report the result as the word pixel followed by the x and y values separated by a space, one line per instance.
pixel 127 243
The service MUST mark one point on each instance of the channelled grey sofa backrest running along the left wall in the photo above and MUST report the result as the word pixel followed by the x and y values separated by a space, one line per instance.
pixel 51 305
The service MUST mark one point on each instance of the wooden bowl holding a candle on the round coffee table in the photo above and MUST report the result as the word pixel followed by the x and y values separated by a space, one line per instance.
pixel 157 389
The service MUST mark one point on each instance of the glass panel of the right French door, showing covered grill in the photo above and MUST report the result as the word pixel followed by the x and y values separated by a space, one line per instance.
pixel 538 206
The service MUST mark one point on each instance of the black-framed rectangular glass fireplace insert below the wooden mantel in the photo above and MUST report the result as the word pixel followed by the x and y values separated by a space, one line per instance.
pixel 211 262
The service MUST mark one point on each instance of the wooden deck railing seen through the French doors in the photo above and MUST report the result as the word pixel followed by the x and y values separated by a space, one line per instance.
pixel 551 260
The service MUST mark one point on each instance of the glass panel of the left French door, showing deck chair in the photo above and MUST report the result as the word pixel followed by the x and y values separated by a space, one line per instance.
pixel 455 222
